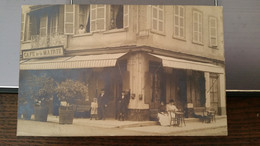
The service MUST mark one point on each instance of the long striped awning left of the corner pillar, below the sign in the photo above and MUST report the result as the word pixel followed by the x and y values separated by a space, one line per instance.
pixel 89 61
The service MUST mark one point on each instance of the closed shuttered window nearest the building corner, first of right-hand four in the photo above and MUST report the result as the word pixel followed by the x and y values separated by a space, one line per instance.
pixel 158 18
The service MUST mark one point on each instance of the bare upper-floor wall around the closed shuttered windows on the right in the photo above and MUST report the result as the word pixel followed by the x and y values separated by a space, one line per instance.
pixel 166 41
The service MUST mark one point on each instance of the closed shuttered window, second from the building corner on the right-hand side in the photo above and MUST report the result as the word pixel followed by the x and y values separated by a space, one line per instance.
pixel 179 22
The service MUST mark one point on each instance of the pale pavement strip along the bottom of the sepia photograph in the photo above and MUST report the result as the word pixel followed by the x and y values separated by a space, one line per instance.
pixel 193 127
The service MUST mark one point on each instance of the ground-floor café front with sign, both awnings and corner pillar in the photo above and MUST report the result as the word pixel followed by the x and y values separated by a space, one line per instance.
pixel 151 79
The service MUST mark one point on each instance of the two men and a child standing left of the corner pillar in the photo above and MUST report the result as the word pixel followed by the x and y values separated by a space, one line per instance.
pixel 98 106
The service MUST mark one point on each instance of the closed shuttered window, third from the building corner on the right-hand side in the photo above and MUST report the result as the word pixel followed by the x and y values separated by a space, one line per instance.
pixel 197 27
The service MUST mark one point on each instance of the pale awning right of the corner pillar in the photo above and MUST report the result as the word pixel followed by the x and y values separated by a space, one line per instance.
pixel 191 65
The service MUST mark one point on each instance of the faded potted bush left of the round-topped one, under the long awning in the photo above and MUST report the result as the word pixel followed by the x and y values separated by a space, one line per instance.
pixel 43 91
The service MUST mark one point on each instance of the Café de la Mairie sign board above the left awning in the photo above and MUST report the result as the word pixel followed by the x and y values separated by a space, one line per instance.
pixel 42 53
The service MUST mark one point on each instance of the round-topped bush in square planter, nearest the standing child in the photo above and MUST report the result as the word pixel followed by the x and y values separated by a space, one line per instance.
pixel 68 92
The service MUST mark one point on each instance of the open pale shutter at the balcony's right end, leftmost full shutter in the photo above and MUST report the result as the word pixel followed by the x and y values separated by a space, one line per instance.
pixel 69 19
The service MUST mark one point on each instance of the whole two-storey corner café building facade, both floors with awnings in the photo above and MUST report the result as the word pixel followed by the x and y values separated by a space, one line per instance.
pixel 155 52
